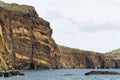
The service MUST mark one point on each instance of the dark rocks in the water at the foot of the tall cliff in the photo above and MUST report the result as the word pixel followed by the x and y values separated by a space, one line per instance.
pixel 11 73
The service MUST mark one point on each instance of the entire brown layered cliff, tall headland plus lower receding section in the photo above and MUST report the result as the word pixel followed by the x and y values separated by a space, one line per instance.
pixel 26 43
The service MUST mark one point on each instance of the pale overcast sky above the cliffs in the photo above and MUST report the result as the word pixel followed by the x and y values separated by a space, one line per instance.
pixel 85 24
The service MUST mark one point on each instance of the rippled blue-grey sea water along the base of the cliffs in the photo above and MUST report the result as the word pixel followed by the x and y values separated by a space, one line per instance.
pixel 63 74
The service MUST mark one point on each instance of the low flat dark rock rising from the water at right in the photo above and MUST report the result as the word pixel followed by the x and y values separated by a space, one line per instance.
pixel 102 73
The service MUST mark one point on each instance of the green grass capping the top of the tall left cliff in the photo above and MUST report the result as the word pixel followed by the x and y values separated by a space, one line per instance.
pixel 16 7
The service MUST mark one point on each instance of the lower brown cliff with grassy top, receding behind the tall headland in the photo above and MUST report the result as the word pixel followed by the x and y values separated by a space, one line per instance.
pixel 75 58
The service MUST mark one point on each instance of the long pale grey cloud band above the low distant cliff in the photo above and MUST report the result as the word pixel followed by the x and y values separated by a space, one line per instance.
pixel 92 27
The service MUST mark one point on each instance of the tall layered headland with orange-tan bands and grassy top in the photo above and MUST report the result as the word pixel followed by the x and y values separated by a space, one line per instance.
pixel 25 38
